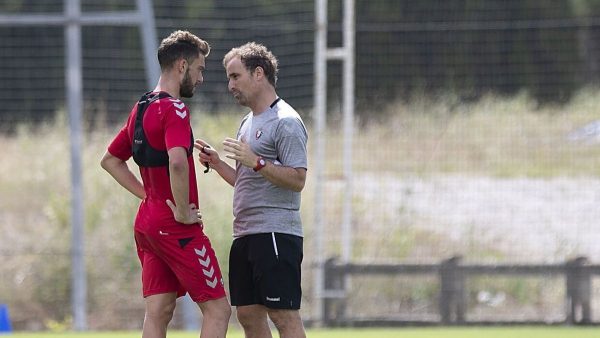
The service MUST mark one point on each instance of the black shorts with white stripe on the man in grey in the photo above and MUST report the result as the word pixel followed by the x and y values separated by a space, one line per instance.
pixel 265 269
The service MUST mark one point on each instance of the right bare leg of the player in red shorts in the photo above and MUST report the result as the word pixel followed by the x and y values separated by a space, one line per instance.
pixel 216 318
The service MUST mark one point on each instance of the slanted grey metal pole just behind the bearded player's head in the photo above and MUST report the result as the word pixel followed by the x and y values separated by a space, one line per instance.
pixel 149 41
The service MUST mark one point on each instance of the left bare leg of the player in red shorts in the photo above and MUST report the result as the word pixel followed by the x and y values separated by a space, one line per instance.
pixel 159 312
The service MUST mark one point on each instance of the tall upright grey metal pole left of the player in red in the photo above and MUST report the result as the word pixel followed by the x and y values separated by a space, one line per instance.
pixel 75 106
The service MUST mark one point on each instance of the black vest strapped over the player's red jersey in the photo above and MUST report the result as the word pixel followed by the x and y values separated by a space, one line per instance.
pixel 143 153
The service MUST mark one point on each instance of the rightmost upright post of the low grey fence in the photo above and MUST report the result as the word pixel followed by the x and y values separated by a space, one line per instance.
pixel 579 291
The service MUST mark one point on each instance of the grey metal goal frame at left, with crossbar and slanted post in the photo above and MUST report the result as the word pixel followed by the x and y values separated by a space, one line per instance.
pixel 72 19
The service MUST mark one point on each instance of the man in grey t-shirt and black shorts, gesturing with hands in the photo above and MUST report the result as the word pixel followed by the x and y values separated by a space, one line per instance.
pixel 271 161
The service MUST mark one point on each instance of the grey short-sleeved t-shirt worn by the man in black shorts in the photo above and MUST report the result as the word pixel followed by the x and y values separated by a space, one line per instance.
pixel 259 206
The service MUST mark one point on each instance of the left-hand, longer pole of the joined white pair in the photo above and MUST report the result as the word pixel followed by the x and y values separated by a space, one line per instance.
pixel 320 97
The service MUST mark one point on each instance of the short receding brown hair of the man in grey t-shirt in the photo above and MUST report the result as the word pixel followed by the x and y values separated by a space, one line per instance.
pixel 254 55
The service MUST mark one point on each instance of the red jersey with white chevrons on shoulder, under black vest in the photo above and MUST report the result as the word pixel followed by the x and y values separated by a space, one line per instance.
pixel 166 124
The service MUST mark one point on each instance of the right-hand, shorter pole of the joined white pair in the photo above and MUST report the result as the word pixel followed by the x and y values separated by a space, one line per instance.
pixel 348 125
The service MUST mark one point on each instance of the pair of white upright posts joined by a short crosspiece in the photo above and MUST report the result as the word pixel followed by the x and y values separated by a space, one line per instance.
pixel 345 54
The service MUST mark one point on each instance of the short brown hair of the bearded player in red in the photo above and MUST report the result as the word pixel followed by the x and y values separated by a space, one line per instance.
pixel 181 44
